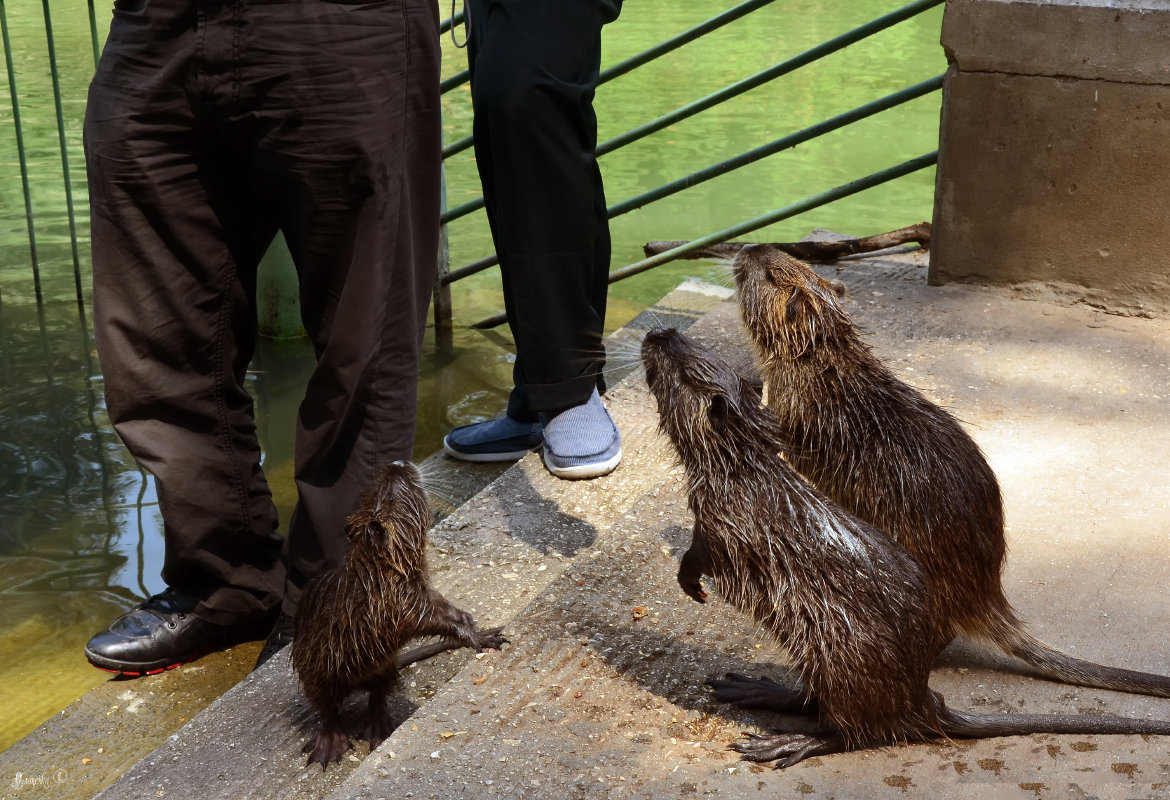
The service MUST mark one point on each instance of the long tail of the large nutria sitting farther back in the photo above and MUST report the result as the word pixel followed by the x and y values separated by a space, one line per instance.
pixel 1051 664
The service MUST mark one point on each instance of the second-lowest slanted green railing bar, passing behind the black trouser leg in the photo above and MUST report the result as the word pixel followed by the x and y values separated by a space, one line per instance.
pixel 744 160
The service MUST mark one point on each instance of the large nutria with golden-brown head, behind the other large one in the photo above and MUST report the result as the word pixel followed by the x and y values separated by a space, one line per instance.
pixel 889 456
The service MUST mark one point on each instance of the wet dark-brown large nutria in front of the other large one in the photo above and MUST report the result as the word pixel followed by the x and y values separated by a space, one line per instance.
pixel 849 604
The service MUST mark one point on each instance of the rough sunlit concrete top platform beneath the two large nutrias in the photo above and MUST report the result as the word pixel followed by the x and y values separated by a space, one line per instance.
pixel 591 702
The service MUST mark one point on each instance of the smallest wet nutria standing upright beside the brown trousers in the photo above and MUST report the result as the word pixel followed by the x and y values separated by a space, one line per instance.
pixel 353 620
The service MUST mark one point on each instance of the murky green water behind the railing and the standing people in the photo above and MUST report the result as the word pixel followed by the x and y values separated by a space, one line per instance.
pixel 80 536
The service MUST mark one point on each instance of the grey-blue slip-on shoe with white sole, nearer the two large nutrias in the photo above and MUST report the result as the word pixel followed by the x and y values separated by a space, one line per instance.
pixel 582 443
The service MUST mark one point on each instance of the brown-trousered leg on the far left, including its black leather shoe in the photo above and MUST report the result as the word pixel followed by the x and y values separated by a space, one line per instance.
pixel 175 249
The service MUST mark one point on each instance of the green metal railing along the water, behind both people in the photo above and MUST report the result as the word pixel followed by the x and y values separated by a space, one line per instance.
pixel 448 277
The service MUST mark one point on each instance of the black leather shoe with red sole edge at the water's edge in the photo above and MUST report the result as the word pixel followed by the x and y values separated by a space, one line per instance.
pixel 161 633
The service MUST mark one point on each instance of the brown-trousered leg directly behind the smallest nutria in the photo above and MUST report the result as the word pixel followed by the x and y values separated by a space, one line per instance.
pixel 348 155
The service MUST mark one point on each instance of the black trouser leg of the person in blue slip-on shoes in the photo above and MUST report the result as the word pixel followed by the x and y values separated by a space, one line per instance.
pixel 534 72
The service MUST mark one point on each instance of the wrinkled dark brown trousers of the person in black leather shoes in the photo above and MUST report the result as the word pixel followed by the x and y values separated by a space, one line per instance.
pixel 212 125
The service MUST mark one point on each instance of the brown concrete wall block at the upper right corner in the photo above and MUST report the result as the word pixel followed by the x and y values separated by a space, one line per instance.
pixel 1055 151
